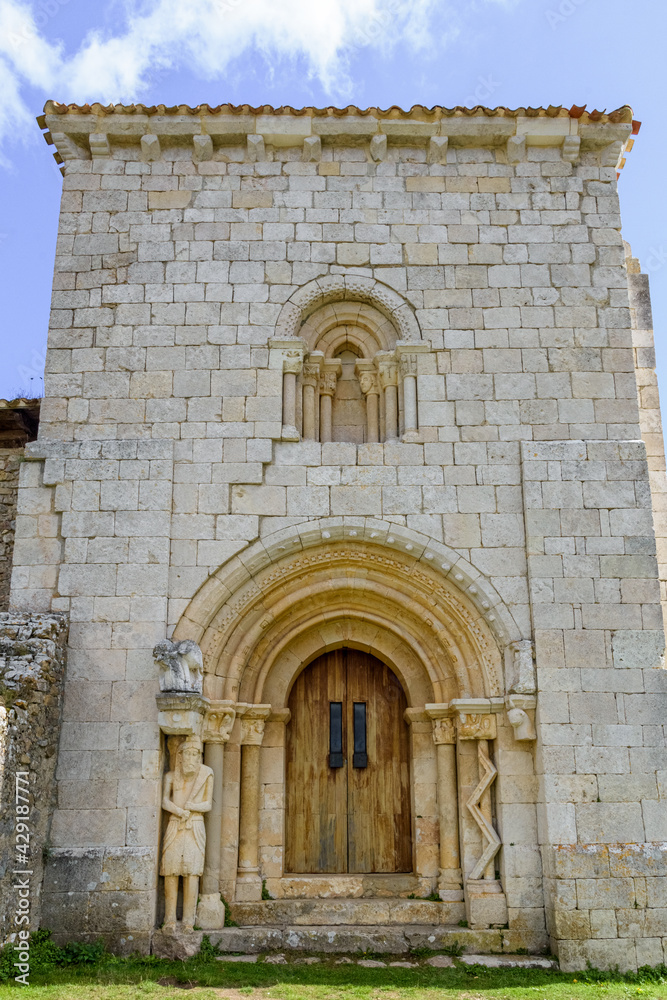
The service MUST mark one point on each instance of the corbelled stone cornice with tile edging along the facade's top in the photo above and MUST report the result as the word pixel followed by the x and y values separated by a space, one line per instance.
pixel 79 131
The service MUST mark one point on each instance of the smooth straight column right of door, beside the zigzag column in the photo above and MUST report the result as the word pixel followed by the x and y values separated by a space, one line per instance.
pixel 444 737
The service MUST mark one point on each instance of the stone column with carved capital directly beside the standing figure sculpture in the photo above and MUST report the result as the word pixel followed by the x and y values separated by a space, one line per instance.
pixel 217 726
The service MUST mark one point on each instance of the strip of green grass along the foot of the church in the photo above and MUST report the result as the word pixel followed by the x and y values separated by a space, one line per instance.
pixel 122 979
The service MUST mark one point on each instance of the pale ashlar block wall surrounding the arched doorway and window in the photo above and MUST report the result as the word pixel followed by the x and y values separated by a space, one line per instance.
pixel 193 248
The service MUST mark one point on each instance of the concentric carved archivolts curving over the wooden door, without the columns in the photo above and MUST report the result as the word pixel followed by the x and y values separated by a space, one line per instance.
pixel 273 609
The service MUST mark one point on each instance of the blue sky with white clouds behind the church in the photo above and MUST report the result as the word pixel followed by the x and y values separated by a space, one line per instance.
pixel 603 53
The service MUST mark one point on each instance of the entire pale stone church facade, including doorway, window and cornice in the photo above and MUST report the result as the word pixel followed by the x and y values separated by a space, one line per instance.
pixel 351 424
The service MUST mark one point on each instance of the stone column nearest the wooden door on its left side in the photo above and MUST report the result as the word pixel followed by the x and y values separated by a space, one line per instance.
pixel 249 883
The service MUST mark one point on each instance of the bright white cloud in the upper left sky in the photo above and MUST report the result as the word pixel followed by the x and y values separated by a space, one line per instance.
pixel 204 36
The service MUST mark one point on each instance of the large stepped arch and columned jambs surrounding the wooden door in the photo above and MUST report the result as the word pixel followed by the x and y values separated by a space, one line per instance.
pixel 415 606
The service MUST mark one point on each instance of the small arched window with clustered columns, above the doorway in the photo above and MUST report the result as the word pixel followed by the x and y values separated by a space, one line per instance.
pixel 350 346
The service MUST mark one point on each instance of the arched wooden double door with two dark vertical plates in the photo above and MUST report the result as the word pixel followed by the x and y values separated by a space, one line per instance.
pixel 348 780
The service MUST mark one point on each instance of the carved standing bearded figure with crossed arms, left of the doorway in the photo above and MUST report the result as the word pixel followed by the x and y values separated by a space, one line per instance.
pixel 187 795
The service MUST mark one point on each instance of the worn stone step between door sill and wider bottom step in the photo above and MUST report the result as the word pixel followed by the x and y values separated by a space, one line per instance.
pixel 359 912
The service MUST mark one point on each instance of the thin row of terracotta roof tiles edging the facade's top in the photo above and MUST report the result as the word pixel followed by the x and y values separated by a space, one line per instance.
pixel 623 114
